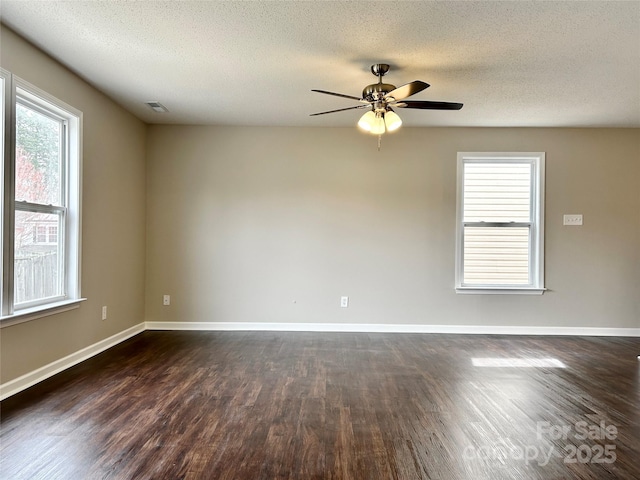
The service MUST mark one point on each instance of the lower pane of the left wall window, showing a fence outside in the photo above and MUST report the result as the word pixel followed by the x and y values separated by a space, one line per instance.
pixel 37 272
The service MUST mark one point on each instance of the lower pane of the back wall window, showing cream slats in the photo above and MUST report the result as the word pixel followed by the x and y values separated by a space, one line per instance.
pixel 496 255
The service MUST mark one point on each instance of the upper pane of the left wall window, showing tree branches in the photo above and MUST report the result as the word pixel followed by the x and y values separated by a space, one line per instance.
pixel 38 157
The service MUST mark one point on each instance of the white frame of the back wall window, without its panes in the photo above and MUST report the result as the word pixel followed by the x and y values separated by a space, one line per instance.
pixel 535 223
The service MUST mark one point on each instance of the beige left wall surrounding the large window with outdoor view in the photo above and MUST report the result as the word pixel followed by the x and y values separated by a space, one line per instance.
pixel 113 220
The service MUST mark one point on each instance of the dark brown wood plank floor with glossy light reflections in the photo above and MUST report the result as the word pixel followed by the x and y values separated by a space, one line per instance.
pixel 265 405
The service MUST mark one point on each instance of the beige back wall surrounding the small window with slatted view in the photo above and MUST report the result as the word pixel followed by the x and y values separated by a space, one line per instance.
pixel 243 222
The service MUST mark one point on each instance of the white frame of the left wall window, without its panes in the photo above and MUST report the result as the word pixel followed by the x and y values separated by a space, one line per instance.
pixel 69 211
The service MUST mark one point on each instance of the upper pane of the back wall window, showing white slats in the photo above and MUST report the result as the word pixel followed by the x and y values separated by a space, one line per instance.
pixel 497 192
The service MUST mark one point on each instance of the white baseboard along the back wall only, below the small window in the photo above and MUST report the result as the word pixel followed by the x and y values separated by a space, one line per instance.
pixel 392 328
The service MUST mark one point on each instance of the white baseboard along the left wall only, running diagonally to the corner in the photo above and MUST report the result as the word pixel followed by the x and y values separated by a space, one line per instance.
pixel 25 381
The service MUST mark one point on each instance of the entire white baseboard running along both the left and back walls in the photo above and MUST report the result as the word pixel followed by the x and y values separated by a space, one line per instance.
pixel 25 381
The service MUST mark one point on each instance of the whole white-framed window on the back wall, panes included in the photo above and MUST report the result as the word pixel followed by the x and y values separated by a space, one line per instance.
pixel 500 232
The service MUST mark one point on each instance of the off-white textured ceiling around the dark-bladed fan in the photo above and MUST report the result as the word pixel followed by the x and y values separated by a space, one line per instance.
pixel 513 63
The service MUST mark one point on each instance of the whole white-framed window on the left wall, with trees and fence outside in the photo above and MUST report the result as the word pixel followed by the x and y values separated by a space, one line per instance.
pixel 41 200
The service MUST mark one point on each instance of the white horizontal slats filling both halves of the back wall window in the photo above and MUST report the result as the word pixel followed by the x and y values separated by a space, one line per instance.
pixel 497 216
